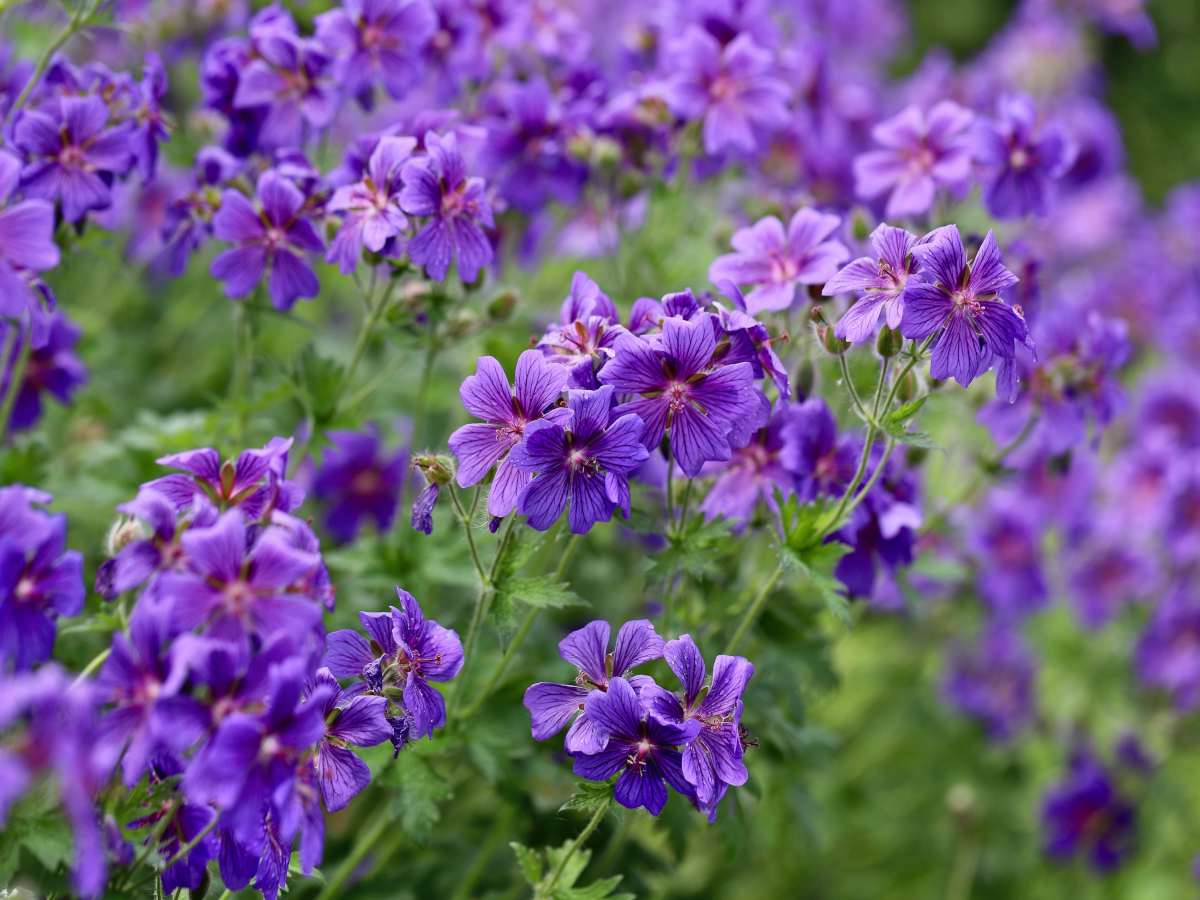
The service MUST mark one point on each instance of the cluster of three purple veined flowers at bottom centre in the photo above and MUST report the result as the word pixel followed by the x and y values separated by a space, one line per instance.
pixel 629 727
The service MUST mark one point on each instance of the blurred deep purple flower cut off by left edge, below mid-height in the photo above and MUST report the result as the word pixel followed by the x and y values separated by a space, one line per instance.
pixel 40 579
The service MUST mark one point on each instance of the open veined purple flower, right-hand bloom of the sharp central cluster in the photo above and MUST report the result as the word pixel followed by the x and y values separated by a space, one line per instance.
pixel 685 391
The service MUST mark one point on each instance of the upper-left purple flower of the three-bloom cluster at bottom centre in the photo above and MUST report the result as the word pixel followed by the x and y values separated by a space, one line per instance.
pixel 553 706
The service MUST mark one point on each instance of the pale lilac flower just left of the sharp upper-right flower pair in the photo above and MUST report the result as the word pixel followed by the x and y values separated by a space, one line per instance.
pixel 778 262
